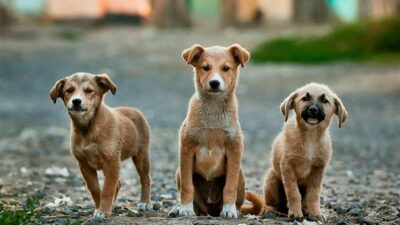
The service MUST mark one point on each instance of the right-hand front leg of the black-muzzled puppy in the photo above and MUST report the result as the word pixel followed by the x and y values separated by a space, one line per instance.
pixel 313 193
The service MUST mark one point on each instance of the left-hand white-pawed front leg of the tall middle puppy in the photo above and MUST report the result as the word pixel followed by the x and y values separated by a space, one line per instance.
pixel 186 180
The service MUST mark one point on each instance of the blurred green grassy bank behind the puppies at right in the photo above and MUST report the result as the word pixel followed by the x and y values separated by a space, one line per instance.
pixel 367 41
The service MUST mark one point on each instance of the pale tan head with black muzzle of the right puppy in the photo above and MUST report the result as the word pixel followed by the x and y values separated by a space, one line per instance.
pixel 314 104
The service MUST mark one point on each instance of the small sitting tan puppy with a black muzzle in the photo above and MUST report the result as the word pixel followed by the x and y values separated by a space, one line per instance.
pixel 301 153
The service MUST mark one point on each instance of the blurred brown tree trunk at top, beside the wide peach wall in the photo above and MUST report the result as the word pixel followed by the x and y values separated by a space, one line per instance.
pixel 170 13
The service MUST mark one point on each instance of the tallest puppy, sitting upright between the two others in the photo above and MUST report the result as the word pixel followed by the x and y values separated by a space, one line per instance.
pixel 209 176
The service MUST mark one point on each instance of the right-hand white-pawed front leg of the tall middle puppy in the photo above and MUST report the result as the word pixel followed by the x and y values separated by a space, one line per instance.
pixel 233 154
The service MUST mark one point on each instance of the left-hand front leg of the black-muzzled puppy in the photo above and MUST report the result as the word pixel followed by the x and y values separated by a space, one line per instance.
pixel 292 190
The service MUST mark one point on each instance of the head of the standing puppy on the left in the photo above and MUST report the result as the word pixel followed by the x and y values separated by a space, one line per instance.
pixel 82 93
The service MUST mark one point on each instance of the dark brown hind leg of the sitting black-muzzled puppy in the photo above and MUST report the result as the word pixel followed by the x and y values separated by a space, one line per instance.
pixel 273 193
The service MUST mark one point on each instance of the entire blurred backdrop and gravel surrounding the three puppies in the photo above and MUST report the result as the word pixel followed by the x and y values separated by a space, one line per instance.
pixel 353 46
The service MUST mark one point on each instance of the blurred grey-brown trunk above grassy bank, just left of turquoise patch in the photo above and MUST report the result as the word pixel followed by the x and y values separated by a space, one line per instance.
pixel 311 11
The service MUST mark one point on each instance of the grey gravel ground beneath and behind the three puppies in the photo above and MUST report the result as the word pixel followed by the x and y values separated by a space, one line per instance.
pixel 362 184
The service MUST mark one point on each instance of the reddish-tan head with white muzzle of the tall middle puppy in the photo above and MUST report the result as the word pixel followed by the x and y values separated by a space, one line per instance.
pixel 216 68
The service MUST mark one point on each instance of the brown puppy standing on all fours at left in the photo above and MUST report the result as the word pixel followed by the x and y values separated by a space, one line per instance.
pixel 101 137
